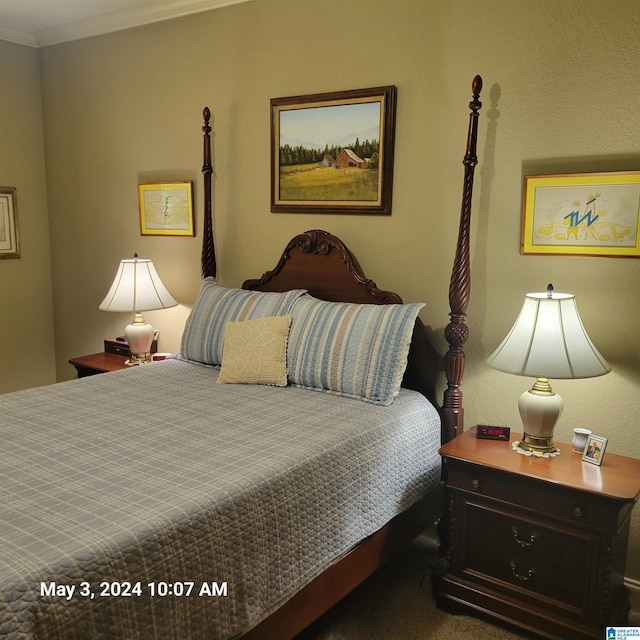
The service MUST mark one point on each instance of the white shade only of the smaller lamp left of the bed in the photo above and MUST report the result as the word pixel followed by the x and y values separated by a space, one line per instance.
pixel 137 287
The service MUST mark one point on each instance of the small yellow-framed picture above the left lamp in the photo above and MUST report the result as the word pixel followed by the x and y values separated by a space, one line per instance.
pixel 166 208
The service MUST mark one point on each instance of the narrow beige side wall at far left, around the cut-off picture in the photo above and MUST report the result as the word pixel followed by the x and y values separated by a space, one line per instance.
pixel 27 357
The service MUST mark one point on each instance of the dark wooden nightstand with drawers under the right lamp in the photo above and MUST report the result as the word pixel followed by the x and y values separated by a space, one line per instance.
pixel 541 543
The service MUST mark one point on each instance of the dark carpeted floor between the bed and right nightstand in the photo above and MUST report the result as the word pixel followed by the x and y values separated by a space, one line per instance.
pixel 397 604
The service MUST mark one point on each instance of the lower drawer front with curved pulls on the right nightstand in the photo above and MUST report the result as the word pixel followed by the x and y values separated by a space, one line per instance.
pixel 553 563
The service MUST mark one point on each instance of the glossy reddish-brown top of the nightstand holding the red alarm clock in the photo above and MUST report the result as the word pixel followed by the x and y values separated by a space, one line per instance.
pixel 618 477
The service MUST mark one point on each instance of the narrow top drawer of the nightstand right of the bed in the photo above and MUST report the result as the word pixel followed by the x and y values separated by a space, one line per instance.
pixel 574 507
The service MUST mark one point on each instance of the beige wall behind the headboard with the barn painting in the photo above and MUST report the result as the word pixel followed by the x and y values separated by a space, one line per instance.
pixel 561 94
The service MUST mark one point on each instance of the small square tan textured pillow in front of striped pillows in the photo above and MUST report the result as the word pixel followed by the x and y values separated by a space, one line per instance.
pixel 255 351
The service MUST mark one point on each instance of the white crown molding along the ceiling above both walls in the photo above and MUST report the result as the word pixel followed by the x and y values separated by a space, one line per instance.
pixel 111 22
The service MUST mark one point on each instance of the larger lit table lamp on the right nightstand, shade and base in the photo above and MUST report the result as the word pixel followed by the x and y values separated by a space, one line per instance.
pixel 547 340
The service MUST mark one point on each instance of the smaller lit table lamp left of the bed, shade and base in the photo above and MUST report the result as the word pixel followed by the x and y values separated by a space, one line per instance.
pixel 137 287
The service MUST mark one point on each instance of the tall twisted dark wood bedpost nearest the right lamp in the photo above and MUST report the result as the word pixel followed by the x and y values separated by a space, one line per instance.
pixel 457 332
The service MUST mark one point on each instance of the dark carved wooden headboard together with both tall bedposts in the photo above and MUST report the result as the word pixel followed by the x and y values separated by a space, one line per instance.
pixel 337 276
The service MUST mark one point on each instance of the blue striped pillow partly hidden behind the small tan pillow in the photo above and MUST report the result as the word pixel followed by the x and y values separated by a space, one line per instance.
pixel 203 335
